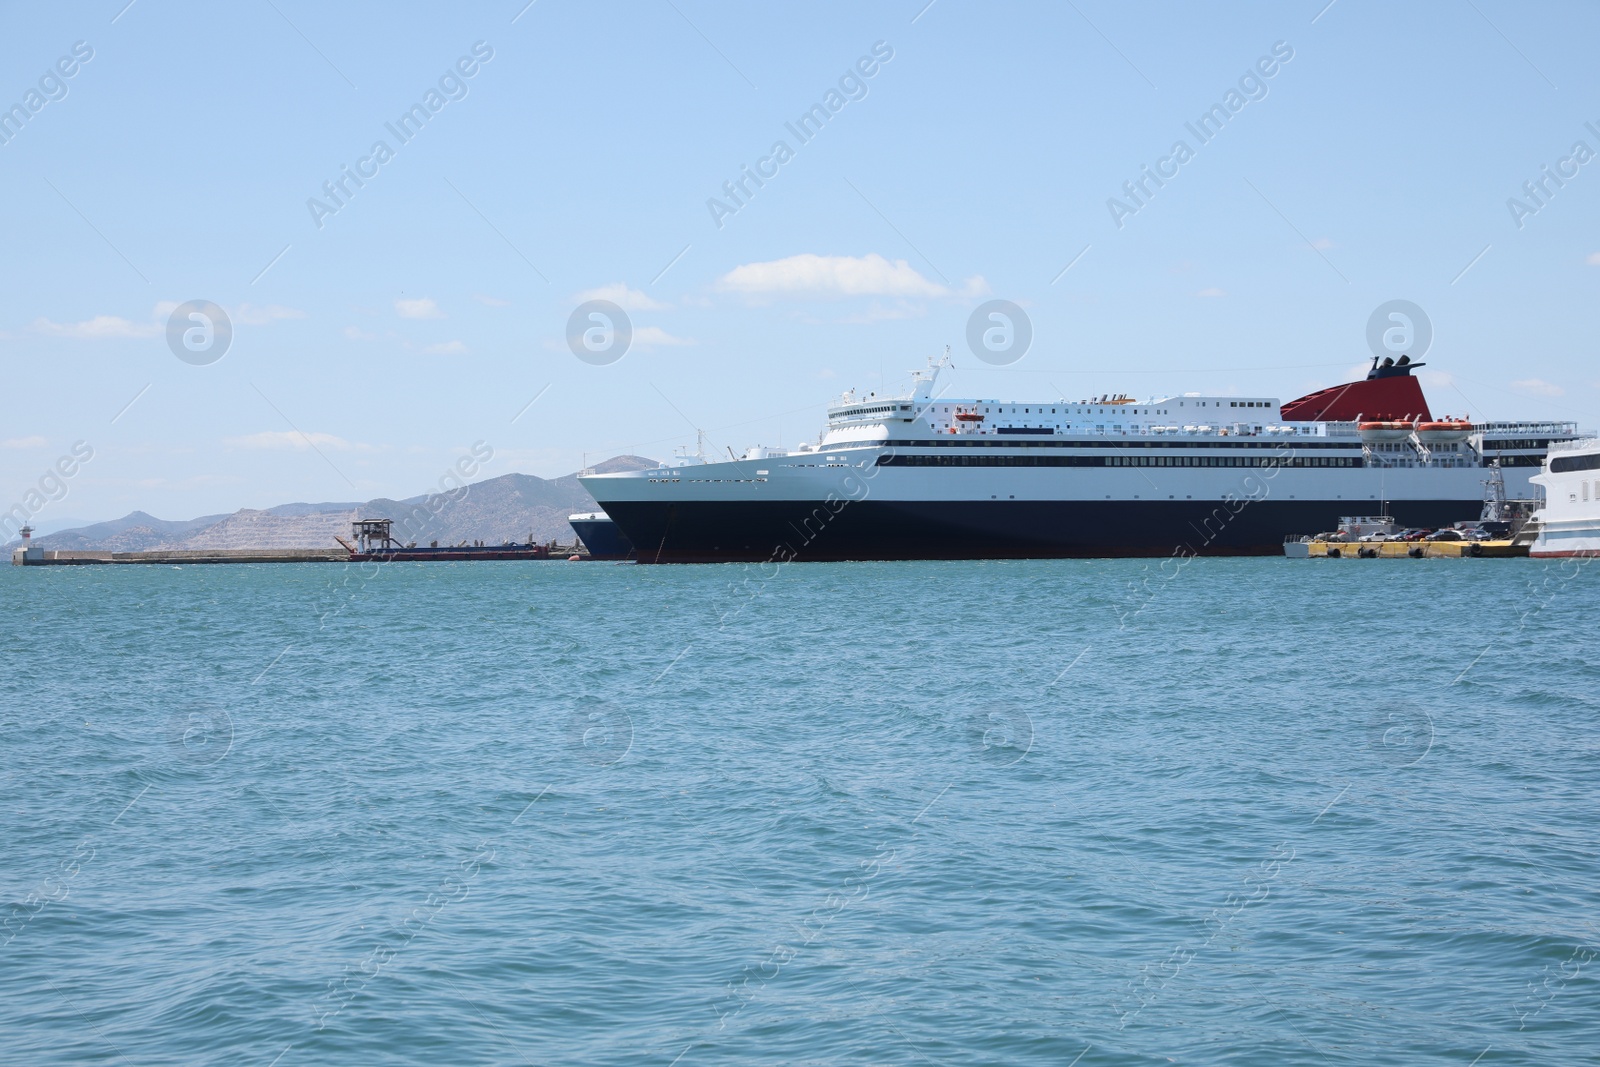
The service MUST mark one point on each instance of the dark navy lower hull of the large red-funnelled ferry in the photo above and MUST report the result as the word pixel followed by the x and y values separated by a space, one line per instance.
pixel 708 532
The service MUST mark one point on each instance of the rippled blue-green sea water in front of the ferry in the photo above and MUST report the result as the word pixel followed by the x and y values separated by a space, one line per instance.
pixel 1249 812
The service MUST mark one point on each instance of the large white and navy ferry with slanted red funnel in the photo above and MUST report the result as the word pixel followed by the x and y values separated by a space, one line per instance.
pixel 1194 474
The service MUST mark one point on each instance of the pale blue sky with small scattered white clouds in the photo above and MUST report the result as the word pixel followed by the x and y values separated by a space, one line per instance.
pixel 359 342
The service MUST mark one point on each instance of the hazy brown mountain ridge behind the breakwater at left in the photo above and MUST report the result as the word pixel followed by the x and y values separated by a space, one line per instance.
pixel 510 508
